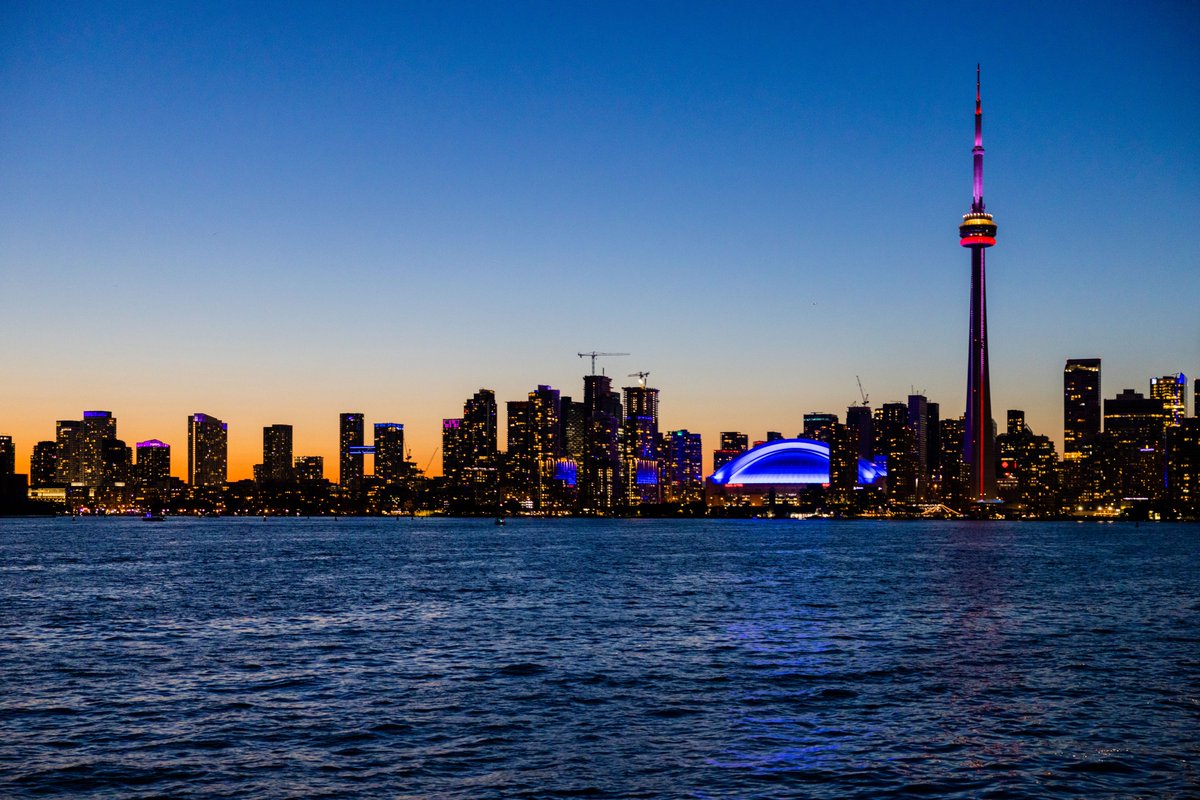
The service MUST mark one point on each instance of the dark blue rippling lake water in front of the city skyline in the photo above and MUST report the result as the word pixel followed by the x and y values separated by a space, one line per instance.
pixel 454 659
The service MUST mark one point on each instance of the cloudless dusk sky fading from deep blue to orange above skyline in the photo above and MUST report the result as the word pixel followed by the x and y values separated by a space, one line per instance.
pixel 279 213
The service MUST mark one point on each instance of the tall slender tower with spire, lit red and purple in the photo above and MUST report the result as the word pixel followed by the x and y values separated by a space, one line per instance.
pixel 979 233
